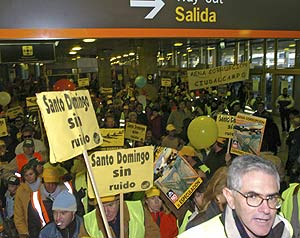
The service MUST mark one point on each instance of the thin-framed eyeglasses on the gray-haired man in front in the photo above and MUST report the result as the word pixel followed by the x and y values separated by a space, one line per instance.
pixel 255 200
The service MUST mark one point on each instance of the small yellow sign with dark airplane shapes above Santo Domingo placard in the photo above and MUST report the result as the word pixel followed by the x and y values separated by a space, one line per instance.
pixel 112 137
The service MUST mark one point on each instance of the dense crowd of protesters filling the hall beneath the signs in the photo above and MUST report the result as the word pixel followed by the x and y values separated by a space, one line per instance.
pixel 240 196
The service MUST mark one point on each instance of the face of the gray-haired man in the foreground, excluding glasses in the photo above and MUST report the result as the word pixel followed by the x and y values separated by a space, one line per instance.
pixel 257 221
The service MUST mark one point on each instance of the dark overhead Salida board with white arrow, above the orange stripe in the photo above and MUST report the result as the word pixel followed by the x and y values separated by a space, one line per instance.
pixel 180 14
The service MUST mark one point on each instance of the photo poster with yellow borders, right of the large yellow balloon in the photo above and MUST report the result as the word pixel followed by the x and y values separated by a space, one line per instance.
pixel 247 134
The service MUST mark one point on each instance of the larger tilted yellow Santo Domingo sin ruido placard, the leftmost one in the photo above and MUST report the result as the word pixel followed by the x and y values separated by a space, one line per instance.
pixel 70 123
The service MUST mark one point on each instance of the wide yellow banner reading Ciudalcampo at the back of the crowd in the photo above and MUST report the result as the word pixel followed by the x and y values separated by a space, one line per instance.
pixel 205 78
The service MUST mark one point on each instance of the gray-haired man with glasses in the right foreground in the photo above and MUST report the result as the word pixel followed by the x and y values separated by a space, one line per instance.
pixel 252 195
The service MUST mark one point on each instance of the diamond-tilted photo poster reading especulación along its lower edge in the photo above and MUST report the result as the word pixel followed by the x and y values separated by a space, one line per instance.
pixel 174 176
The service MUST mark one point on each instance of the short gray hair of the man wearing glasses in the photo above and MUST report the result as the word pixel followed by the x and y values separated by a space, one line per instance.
pixel 247 163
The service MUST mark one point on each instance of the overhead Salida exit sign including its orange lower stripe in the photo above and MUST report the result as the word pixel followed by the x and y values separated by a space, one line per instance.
pixel 149 18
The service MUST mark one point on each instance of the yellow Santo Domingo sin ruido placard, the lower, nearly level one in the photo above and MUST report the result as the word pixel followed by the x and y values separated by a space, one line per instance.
pixel 122 171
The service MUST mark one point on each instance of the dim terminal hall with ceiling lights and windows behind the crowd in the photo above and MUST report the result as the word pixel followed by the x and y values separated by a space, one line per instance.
pixel 274 63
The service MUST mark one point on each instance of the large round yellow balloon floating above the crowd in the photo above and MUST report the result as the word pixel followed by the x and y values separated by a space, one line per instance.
pixel 202 132
